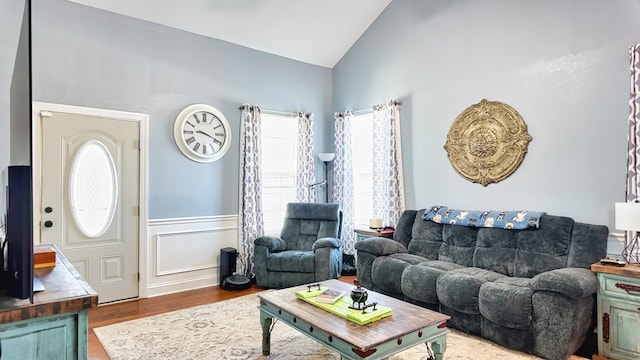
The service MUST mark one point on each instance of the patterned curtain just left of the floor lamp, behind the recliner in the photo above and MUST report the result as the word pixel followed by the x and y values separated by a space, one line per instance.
pixel 306 172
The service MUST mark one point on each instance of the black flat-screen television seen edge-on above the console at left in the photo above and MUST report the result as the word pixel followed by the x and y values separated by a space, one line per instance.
pixel 17 180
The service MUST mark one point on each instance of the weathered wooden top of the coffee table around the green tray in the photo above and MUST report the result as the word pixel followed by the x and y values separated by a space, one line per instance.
pixel 405 317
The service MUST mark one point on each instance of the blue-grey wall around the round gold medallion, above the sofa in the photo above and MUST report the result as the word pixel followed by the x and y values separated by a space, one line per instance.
pixel 563 65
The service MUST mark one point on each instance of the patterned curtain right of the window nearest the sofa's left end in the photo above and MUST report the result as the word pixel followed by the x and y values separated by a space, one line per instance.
pixel 388 183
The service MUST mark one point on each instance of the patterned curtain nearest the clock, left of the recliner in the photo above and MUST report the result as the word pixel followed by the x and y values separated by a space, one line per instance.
pixel 251 222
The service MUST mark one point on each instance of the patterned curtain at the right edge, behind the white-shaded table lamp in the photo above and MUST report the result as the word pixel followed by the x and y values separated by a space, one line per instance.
pixel 633 137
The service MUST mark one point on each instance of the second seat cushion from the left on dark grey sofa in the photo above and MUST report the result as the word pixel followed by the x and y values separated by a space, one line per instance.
pixel 419 281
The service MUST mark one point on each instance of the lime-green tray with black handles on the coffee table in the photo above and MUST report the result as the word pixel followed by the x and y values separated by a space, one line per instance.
pixel 342 307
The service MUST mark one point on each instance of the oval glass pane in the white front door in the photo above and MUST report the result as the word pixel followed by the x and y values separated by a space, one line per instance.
pixel 93 189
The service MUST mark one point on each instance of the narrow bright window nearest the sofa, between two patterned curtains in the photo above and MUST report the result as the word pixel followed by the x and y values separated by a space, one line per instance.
pixel 362 167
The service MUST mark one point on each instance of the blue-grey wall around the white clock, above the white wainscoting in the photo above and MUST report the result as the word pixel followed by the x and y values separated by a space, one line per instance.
pixel 88 57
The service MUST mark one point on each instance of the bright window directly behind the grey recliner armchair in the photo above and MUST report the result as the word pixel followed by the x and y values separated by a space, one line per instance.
pixel 279 158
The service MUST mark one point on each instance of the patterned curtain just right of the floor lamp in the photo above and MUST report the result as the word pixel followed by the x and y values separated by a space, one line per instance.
pixel 343 179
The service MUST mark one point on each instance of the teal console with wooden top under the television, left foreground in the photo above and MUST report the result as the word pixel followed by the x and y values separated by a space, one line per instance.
pixel 55 326
